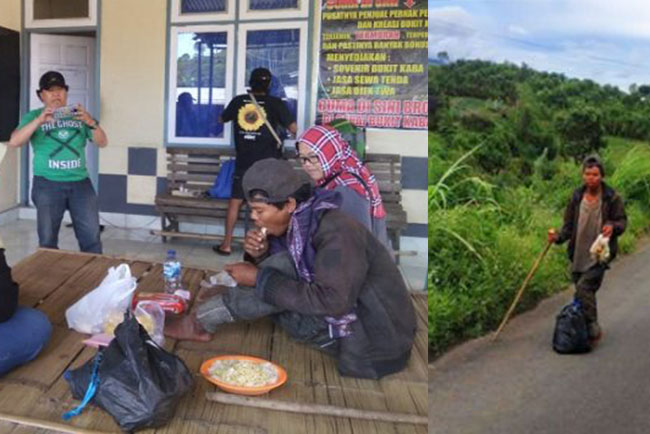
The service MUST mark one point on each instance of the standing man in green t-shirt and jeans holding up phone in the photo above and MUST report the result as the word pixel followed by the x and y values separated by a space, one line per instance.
pixel 58 135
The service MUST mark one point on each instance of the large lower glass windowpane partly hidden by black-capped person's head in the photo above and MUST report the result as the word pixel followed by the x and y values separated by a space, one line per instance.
pixel 278 51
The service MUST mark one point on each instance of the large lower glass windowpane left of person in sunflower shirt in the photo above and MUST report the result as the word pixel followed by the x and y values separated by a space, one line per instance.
pixel 200 86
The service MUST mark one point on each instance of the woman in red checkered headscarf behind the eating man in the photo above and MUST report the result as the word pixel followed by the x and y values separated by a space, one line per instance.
pixel 332 164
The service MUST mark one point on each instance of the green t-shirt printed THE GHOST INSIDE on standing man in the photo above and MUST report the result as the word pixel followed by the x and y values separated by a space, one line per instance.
pixel 59 148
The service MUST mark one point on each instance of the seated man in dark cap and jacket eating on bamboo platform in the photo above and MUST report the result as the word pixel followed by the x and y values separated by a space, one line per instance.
pixel 320 274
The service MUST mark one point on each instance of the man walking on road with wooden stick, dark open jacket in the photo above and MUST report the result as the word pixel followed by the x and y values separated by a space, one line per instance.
pixel 593 209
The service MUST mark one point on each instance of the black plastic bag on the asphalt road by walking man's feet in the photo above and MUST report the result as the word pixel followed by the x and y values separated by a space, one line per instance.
pixel 571 335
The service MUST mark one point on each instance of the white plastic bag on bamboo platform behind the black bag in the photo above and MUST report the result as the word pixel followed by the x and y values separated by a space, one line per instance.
pixel 89 314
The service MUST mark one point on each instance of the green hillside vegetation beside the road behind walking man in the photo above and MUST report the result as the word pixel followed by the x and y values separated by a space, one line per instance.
pixel 505 144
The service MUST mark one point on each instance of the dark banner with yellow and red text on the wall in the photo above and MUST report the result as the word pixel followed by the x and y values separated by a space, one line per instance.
pixel 373 63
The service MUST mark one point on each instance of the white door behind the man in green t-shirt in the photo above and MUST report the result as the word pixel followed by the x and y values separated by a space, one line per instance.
pixel 74 57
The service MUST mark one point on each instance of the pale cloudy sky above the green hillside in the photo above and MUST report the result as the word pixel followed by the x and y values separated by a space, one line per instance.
pixel 607 41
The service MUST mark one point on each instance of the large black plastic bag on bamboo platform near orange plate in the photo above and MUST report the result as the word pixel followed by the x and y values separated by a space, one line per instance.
pixel 140 383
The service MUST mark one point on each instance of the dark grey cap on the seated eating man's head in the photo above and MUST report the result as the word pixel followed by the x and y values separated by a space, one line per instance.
pixel 277 178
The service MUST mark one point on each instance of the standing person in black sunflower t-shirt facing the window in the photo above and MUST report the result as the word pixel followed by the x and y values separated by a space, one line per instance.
pixel 253 139
